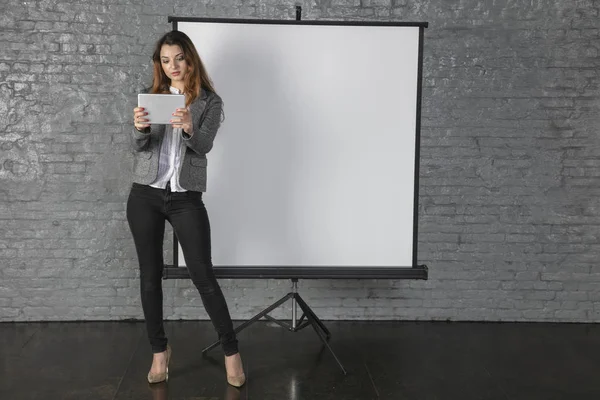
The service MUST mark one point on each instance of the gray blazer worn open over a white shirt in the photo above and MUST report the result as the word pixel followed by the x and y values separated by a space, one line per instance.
pixel 206 112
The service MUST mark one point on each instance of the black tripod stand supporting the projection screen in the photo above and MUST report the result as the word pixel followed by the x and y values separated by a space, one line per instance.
pixel 296 324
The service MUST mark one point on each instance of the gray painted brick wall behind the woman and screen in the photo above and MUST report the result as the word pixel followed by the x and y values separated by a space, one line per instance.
pixel 510 167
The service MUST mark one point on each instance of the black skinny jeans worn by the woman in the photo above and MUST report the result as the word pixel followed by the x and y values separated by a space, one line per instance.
pixel 147 210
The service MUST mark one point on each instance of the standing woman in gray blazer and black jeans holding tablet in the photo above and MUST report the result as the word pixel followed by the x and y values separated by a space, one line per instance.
pixel 169 178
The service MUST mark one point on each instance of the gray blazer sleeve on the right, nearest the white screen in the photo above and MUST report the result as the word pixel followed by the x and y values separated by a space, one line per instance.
pixel 205 127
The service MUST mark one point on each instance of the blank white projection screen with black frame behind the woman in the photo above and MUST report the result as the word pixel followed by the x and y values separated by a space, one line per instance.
pixel 315 166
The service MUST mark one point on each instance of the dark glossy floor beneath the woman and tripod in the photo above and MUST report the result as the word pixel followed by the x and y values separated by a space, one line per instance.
pixel 384 360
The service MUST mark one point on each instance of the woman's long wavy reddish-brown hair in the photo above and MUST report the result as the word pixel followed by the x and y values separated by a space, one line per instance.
pixel 196 78
